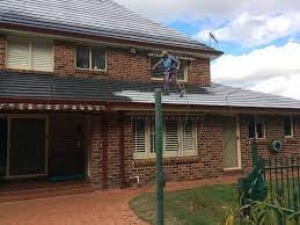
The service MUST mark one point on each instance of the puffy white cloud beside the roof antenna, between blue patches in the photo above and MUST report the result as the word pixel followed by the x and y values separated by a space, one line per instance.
pixel 256 30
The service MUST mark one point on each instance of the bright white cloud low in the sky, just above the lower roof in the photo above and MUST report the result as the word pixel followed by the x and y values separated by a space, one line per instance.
pixel 272 69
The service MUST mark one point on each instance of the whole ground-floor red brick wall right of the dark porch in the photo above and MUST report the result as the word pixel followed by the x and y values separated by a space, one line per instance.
pixel 208 162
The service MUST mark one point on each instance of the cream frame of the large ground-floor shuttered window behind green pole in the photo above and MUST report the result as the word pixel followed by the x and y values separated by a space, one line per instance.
pixel 149 153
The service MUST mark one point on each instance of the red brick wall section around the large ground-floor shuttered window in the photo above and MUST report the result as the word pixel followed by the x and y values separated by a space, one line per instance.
pixel 208 162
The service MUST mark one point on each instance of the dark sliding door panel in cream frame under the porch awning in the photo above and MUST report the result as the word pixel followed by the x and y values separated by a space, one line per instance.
pixel 27 147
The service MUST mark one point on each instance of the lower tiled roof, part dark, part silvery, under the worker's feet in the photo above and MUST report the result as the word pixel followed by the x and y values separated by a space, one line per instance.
pixel 52 87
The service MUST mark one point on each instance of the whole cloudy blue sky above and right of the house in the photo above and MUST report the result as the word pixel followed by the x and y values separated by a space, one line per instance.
pixel 260 38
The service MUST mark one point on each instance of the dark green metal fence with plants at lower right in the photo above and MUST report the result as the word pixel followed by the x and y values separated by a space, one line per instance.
pixel 276 182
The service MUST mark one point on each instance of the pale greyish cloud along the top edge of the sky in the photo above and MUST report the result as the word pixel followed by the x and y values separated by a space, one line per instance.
pixel 196 9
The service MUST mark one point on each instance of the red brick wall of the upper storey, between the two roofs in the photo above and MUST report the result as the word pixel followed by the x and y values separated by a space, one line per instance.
pixel 120 64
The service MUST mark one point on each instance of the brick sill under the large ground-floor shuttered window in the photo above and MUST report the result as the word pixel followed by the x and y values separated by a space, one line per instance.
pixel 167 161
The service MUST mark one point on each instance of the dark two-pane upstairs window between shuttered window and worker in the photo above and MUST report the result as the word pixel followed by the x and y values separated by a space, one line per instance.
pixel 92 58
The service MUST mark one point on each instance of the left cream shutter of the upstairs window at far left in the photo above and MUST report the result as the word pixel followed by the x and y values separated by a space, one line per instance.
pixel 18 54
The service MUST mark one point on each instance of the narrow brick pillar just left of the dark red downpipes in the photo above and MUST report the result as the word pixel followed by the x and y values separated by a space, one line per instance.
pixel 96 145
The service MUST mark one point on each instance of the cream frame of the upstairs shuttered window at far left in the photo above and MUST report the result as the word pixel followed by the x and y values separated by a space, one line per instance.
pixel 30 43
